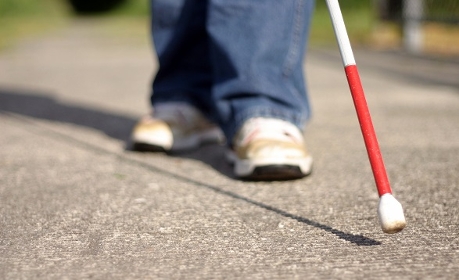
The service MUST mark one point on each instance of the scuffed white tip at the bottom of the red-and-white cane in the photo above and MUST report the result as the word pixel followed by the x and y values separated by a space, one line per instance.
pixel 390 214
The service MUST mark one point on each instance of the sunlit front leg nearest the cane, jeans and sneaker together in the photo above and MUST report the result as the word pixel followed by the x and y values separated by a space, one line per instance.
pixel 259 90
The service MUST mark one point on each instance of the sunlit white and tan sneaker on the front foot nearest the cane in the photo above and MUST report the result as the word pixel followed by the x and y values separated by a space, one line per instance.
pixel 270 149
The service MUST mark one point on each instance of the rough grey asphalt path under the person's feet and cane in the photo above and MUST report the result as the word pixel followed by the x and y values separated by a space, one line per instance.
pixel 75 204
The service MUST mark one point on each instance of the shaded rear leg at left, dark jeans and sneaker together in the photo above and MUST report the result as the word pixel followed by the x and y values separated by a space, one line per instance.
pixel 181 88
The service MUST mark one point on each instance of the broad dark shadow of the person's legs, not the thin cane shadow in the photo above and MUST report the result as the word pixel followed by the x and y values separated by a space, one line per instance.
pixel 42 105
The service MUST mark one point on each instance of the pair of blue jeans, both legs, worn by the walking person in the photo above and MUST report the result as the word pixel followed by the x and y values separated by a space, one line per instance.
pixel 233 59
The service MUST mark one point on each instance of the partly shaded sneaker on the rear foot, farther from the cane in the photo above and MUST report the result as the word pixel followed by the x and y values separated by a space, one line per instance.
pixel 174 127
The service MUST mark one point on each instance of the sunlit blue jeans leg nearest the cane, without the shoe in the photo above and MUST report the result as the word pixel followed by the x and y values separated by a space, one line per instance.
pixel 257 52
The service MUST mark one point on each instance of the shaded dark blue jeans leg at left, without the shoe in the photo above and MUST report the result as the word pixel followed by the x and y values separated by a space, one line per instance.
pixel 182 47
